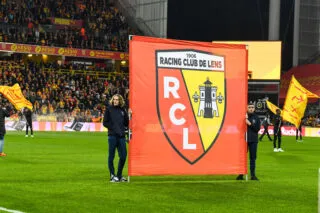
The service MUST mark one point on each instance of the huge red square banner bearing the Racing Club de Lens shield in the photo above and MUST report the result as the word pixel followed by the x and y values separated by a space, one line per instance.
pixel 189 104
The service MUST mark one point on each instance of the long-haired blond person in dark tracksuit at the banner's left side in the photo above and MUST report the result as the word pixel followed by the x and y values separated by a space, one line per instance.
pixel 116 119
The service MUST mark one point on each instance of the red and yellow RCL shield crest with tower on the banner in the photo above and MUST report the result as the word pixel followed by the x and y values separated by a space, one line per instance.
pixel 190 100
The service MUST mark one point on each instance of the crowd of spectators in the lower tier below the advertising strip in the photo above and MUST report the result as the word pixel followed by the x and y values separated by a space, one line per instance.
pixel 63 96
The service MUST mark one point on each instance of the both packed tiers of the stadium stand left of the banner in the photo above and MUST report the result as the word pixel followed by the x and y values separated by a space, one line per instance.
pixel 66 90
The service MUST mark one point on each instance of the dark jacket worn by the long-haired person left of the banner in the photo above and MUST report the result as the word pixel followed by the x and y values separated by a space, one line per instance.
pixel 116 119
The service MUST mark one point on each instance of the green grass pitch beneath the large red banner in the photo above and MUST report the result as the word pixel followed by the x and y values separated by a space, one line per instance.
pixel 67 172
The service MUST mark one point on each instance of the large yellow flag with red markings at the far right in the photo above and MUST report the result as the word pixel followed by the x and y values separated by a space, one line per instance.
pixel 296 102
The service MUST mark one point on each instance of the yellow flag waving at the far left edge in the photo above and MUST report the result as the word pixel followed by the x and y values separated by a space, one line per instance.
pixel 15 96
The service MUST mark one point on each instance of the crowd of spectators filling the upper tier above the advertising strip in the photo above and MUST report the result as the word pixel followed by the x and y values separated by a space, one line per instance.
pixel 26 21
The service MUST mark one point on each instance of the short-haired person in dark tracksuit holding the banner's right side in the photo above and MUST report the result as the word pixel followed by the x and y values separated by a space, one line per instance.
pixel 253 127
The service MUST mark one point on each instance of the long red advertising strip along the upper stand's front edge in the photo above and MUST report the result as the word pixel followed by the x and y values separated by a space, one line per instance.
pixel 37 49
